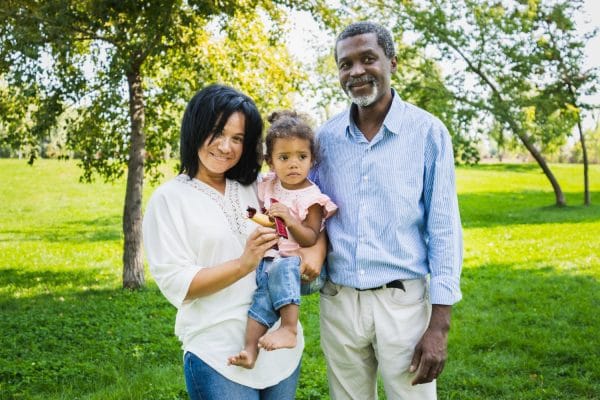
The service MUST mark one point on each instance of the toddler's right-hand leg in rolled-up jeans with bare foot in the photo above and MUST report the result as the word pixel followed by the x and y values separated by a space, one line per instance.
pixel 284 289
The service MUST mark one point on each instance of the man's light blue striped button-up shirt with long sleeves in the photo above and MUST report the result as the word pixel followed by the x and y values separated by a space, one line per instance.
pixel 398 212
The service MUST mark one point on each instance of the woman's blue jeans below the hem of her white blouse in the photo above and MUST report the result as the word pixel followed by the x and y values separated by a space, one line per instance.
pixel 204 383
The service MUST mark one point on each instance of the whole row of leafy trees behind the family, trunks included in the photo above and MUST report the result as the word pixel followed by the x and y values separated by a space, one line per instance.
pixel 106 81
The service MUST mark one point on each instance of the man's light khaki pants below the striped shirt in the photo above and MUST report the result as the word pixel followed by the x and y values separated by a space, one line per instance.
pixel 366 331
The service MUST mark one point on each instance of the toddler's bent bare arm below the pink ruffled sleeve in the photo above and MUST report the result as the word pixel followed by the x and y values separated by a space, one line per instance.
pixel 305 232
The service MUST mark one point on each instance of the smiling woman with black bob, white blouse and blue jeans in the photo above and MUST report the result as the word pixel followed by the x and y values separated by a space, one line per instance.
pixel 203 252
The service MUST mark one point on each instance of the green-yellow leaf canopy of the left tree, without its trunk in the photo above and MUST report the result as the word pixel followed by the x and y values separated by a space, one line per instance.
pixel 86 50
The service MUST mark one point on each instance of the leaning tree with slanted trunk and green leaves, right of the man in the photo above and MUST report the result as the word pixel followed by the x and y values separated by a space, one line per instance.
pixel 500 67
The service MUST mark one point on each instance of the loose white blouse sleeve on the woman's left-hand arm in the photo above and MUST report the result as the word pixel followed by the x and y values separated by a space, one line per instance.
pixel 171 263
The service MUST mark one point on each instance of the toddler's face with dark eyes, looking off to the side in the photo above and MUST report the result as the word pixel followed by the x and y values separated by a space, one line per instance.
pixel 291 161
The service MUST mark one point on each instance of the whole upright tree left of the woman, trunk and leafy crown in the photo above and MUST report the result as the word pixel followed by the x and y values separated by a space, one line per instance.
pixel 109 59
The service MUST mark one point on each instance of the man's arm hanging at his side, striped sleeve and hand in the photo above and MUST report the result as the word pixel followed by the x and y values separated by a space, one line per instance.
pixel 444 255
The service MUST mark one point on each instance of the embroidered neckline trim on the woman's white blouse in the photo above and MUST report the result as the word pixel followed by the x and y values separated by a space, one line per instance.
pixel 229 202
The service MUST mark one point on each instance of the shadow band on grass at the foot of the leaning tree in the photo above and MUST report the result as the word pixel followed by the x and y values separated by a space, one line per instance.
pixel 527 207
